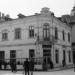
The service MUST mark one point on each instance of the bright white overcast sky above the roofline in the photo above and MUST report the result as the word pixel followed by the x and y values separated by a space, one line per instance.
pixel 29 7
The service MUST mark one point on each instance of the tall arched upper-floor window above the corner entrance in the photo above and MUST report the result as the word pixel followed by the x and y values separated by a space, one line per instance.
pixel 46 31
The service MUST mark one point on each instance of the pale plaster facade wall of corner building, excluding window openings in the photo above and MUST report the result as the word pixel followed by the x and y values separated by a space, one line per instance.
pixel 23 45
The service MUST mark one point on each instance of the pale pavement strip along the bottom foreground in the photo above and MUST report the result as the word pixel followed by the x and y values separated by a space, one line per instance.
pixel 62 72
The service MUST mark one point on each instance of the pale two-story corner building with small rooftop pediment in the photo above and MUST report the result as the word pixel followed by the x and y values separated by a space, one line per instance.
pixel 40 36
